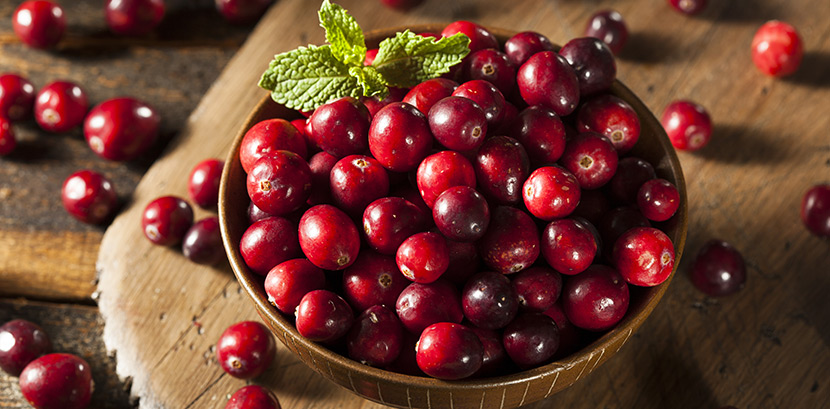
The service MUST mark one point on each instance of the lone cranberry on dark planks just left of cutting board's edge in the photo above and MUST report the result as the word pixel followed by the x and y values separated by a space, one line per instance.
pixel 89 197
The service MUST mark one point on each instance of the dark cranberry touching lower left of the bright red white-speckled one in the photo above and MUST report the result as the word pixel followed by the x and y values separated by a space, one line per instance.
pixel 511 243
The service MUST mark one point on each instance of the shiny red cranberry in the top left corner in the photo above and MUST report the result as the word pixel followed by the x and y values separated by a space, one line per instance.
pixel 39 23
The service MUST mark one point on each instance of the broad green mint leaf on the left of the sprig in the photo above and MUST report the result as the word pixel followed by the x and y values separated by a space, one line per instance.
pixel 308 77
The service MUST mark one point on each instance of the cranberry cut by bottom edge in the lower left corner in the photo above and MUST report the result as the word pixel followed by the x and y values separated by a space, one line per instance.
pixel 57 381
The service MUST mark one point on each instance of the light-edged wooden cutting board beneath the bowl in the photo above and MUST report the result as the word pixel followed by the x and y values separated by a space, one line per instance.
pixel 766 346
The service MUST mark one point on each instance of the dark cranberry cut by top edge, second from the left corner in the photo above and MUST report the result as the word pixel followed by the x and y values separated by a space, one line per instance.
pixel 134 17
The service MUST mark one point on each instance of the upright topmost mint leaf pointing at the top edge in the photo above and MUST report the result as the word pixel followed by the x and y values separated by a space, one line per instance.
pixel 343 33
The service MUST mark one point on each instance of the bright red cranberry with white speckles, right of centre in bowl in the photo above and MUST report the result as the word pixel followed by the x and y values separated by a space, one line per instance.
pixel 551 192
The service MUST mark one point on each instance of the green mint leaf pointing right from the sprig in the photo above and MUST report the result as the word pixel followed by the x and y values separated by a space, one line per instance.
pixel 409 59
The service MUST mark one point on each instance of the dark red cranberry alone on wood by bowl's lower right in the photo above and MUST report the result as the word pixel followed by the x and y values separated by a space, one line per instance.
pixel 718 269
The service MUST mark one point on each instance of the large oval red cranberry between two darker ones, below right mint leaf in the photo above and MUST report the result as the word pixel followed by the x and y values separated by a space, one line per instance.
pixel 399 137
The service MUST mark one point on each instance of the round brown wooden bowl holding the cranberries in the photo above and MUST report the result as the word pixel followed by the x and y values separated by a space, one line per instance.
pixel 393 389
